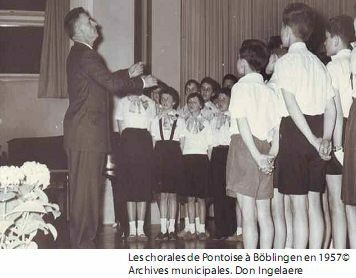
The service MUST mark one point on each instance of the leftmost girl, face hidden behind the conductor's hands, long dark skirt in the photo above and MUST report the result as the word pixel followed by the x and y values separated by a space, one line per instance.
pixel 134 115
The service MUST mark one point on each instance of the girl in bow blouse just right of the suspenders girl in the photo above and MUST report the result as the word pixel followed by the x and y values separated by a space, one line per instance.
pixel 196 144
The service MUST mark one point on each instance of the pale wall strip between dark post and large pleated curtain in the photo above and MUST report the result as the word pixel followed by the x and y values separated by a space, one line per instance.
pixel 166 41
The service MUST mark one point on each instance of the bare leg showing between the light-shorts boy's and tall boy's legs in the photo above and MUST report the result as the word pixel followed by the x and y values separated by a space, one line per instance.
pixel 279 220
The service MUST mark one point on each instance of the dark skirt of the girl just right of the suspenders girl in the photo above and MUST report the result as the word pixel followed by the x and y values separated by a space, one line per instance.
pixel 196 169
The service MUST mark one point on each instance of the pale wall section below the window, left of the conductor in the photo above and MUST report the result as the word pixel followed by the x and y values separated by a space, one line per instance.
pixel 22 114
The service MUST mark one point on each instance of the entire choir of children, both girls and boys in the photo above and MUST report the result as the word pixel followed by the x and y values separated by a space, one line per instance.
pixel 272 150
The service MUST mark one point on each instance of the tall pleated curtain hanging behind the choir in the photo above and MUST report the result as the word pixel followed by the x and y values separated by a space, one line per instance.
pixel 213 30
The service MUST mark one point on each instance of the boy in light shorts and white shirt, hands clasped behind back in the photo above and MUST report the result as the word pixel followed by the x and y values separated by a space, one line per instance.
pixel 250 157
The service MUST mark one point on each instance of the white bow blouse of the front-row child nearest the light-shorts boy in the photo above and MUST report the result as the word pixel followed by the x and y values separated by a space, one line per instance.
pixel 222 128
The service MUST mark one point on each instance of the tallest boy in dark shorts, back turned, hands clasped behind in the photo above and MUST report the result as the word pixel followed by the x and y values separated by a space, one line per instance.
pixel 306 127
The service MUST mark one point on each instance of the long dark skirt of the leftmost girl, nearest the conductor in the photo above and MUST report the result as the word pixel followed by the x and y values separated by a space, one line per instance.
pixel 136 165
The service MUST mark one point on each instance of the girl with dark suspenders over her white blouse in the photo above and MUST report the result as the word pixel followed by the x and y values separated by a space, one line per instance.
pixel 166 130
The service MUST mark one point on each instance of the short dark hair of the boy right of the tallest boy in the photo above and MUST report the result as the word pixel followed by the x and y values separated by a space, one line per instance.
pixel 342 26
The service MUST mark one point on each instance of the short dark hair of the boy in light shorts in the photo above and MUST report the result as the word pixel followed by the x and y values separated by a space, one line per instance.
pixel 256 54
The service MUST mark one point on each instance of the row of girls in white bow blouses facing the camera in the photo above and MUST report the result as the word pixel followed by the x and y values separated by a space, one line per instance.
pixel 166 151
